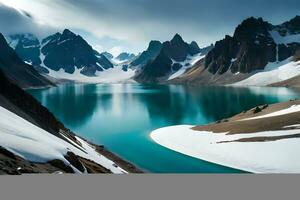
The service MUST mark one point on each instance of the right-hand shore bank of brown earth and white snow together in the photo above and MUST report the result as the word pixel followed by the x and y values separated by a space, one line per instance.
pixel 254 145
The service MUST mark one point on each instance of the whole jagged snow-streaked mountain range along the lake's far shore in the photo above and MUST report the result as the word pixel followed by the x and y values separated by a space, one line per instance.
pixel 256 46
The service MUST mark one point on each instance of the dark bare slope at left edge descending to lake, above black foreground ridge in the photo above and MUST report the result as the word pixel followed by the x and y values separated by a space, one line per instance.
pixel 16 70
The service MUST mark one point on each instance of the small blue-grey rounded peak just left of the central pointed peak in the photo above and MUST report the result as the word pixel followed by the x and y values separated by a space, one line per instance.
pixel 151 53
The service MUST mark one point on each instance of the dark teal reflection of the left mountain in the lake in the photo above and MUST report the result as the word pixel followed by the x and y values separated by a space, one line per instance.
pixel 72 104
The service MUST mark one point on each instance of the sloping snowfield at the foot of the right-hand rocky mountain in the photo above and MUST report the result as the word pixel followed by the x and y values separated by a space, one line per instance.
pixel 273 73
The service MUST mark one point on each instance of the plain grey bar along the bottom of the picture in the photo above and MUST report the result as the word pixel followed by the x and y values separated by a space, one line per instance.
pixel 150 186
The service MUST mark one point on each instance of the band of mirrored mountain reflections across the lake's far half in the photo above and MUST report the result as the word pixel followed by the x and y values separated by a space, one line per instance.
pixel 164 104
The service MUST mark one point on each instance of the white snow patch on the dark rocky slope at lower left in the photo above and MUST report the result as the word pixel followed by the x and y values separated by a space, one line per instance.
pixel 37 145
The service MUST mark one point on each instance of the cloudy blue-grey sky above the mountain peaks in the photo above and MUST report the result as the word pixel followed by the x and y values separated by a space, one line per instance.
pixel 128 25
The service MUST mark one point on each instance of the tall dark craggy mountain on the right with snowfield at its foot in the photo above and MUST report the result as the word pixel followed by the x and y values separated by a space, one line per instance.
pixel 255 47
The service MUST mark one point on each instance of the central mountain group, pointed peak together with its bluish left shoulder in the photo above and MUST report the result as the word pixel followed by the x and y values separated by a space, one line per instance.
pixel 163 60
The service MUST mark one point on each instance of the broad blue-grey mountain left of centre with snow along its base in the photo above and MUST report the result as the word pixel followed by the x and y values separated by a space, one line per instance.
pixel 68 56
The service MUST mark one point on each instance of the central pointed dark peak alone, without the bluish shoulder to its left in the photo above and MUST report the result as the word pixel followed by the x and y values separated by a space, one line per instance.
pixel 173 59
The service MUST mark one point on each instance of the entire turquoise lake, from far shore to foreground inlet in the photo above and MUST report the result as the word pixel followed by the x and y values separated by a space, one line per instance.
pixel 121 117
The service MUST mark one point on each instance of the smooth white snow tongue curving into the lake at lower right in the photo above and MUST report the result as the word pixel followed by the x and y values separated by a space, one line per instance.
pixel 279 156
